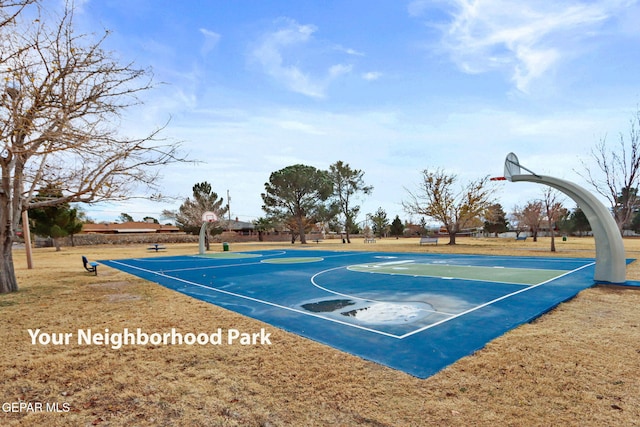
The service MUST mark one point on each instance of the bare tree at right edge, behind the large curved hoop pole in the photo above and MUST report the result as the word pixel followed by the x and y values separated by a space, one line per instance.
pixel 619 175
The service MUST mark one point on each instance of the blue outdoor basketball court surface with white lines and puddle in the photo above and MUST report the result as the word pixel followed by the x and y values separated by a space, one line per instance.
pixel 413 312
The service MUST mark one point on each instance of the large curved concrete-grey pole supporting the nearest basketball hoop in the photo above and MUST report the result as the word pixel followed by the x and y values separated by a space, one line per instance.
pixel 610 256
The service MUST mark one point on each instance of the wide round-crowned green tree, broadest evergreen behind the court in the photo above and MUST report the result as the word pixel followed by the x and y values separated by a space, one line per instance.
pixel 296 194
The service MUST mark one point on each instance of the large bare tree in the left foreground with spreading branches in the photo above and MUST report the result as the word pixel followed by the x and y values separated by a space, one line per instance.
pixel 62 99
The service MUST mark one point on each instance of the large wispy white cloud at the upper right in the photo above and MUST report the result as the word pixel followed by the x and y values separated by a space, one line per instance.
pixel 525 39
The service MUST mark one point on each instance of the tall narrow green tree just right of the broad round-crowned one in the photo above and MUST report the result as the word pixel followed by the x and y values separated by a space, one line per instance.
pixel 347 183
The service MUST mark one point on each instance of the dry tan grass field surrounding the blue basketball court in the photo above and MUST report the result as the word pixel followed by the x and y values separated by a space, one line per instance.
pixel 577 365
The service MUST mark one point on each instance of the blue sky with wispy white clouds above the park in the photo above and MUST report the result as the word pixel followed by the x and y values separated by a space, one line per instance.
pixel 390 87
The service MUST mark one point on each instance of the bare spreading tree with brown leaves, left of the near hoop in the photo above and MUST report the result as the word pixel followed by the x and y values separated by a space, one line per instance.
pixel 455 209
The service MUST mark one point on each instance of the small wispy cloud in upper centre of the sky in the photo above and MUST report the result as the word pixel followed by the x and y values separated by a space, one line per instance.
pixel 280 56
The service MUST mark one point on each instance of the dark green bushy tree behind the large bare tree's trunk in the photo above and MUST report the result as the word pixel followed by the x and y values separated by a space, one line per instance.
pixel 54 221
